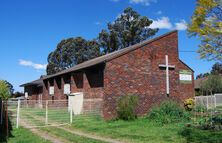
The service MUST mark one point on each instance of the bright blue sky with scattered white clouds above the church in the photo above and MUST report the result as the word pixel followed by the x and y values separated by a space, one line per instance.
pixel 31 29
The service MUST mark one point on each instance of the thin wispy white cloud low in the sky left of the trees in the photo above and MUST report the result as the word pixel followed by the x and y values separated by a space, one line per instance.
pixel 31 64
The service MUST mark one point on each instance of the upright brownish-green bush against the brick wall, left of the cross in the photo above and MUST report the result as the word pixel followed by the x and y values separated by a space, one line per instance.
pixel 126 107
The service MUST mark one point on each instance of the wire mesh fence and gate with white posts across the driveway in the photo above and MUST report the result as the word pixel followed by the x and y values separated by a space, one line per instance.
pixel 33 113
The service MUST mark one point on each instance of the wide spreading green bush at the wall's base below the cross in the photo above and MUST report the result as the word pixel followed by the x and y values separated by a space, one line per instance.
pixel 168 112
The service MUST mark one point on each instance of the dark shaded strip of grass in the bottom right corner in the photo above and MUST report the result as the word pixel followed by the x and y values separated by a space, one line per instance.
pixel 195 135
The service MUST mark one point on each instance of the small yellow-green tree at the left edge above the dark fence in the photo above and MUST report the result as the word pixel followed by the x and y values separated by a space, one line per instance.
pixel 4 90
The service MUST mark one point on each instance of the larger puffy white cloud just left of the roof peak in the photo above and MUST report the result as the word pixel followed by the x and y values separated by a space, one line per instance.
pixel 162 23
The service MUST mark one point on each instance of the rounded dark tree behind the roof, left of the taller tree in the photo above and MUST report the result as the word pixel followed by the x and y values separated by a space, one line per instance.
pixel 70 52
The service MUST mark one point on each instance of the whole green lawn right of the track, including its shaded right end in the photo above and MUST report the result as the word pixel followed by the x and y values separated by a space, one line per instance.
pixel 143 131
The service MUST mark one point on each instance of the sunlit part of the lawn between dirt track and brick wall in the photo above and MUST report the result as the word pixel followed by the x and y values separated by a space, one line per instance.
pixel 140 130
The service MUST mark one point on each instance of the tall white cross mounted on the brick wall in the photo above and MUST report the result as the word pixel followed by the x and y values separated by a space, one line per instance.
pixel 167 66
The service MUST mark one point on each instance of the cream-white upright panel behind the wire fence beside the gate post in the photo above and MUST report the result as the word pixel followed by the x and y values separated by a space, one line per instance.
pixel 76 102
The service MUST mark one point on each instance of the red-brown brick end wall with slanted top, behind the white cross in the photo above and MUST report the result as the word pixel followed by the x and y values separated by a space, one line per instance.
pixel 138 73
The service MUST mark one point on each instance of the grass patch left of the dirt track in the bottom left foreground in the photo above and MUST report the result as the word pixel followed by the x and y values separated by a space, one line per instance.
pixel 22 135
